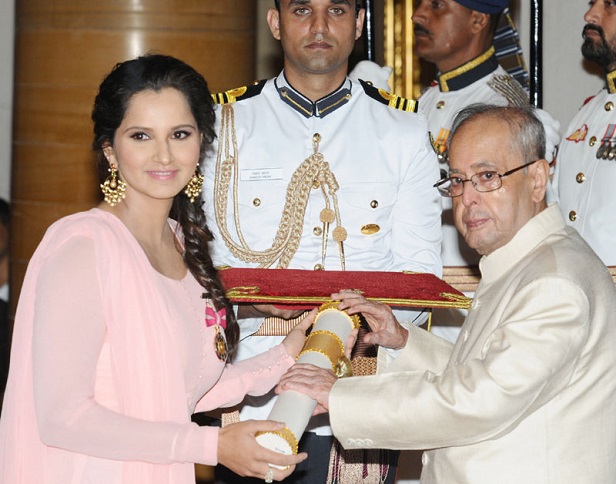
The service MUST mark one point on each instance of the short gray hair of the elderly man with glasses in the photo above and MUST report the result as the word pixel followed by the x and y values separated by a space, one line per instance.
pixel 527 132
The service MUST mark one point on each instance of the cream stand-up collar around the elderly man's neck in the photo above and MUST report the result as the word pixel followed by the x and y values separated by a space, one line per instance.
pixel 536 230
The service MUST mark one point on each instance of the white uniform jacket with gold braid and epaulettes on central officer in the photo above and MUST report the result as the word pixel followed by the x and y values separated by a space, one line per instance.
pixel 343 183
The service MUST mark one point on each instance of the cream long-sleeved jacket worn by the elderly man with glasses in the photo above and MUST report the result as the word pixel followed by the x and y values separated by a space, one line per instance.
pixel 528 392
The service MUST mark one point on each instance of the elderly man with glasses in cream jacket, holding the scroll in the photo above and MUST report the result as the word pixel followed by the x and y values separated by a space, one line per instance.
pixel 527 394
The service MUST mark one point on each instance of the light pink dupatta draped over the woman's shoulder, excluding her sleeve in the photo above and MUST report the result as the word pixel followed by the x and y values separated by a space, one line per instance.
pixel 141 341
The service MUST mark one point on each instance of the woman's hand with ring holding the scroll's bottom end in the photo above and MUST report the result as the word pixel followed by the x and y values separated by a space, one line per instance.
pixel 239 451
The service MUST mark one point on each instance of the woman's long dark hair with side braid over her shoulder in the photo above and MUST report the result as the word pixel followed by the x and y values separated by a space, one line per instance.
pixel 154 73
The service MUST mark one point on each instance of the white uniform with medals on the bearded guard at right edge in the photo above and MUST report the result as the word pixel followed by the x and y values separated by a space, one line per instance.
pixel 586 172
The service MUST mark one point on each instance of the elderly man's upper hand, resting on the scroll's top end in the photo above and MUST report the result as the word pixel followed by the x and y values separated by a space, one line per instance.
pixel 386 331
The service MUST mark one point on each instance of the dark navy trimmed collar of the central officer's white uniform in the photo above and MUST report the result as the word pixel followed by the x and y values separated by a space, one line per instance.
pixel 321 108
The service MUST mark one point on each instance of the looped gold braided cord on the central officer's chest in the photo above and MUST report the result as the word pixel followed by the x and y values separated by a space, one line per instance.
pixel 312 173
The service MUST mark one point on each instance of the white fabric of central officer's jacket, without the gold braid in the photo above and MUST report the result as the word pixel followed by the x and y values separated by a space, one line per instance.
pixel 384 164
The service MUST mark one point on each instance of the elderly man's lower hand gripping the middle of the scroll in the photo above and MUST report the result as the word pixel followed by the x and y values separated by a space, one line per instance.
pixel 311 380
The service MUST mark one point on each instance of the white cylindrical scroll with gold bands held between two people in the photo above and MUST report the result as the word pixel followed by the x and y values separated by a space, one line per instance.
pixel 324 348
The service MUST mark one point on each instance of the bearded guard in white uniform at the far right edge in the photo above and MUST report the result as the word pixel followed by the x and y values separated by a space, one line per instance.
pixel 585 170
